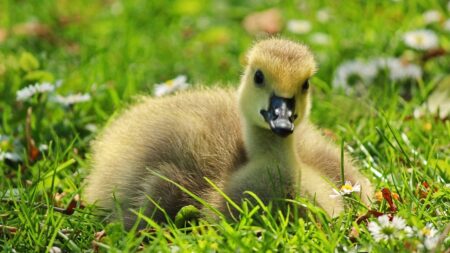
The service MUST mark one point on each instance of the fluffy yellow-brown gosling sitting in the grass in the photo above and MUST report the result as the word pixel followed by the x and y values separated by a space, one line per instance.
pixel 257 139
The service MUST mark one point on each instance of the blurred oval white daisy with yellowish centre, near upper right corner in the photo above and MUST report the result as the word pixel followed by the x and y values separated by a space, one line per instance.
pixel 421 39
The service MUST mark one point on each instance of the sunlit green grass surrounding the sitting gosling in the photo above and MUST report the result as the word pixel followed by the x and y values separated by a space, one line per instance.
pixel 115 50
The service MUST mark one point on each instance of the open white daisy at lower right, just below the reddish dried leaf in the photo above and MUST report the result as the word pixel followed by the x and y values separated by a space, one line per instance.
pixel 385 230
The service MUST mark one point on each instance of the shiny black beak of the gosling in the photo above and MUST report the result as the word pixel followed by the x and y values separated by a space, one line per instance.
pixel 280 115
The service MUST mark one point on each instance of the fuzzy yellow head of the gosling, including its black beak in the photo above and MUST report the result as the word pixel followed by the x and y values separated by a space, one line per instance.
pixel 274 90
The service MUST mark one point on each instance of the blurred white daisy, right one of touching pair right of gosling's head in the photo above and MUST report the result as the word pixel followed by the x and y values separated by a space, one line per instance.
pixel 398 69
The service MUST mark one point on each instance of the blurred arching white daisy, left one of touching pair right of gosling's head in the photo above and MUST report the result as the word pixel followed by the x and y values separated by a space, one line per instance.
pixel 366 71
